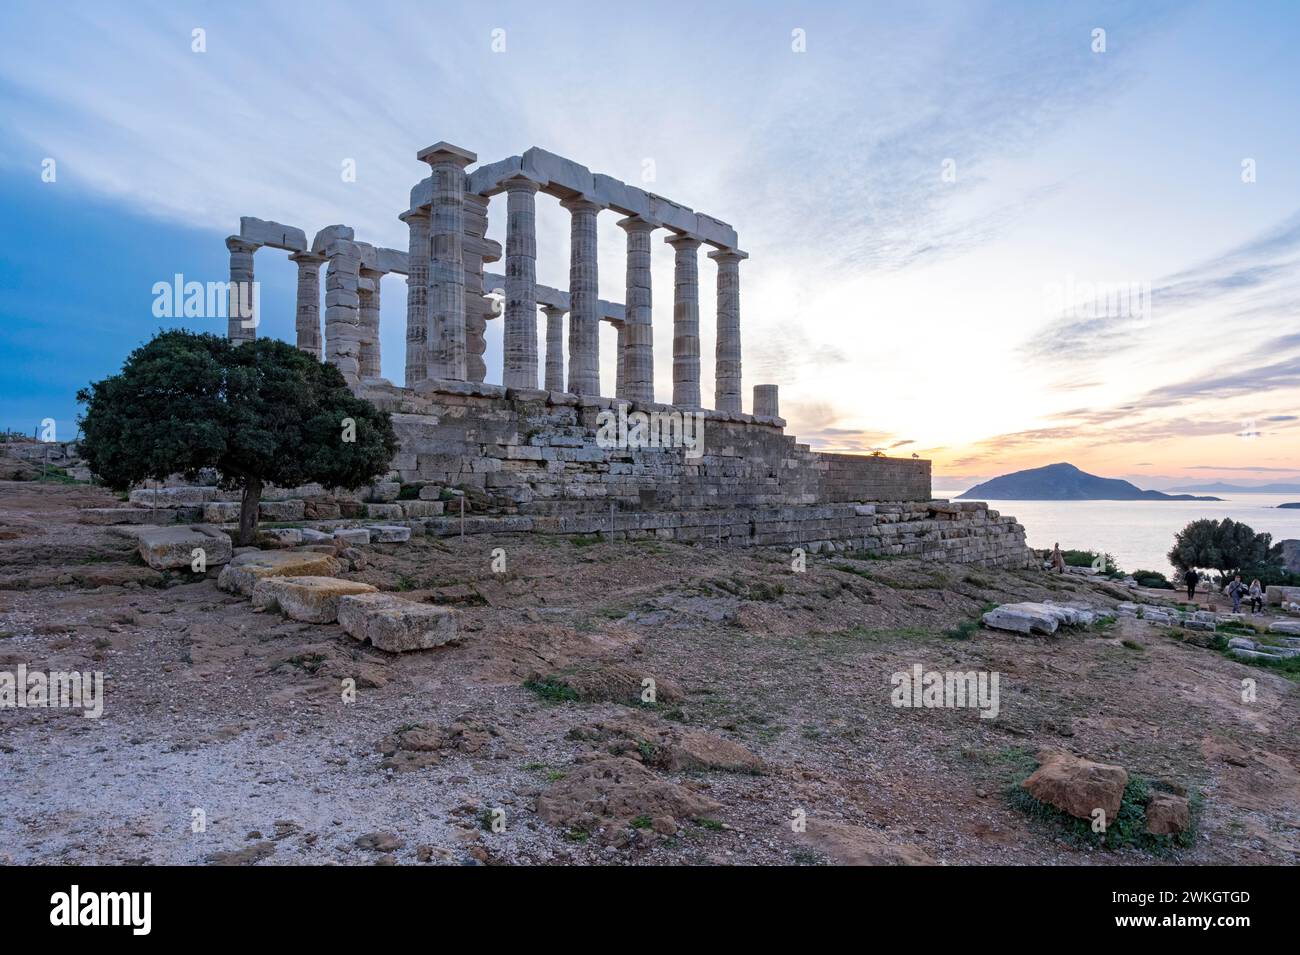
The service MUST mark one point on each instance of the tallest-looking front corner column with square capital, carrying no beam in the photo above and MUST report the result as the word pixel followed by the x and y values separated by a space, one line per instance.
pixel 447 351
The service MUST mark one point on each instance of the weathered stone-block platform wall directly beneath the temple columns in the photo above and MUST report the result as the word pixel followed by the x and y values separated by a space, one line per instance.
pixel 536 453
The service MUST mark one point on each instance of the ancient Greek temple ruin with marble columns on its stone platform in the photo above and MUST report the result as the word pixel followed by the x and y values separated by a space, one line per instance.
pixel 538 449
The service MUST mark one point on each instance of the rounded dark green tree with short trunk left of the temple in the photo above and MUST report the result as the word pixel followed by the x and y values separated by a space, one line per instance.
pixel 261 413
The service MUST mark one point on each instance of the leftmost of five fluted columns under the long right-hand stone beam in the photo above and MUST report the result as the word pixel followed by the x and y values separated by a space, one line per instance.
pixel 519 337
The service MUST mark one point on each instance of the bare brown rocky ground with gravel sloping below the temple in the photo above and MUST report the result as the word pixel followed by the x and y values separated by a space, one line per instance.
pixel 526 741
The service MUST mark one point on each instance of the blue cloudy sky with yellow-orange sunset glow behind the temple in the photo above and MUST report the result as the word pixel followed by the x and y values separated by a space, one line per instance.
pixel 996 236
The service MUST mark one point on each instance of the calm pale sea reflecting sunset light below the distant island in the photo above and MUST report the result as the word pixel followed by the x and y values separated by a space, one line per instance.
pixel 1141 533
